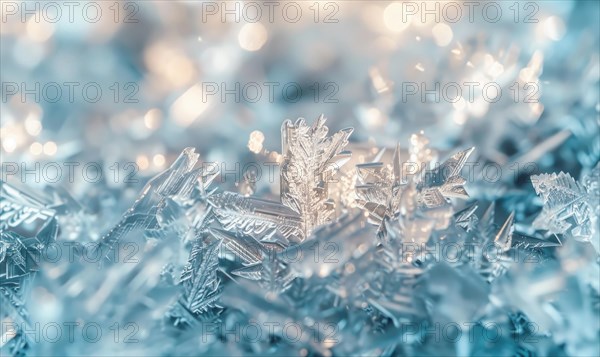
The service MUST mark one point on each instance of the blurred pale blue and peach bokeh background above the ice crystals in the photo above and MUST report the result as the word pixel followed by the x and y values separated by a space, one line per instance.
pixel 125 86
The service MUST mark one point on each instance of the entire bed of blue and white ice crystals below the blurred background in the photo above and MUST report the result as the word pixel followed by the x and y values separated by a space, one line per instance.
pixel 387 277
